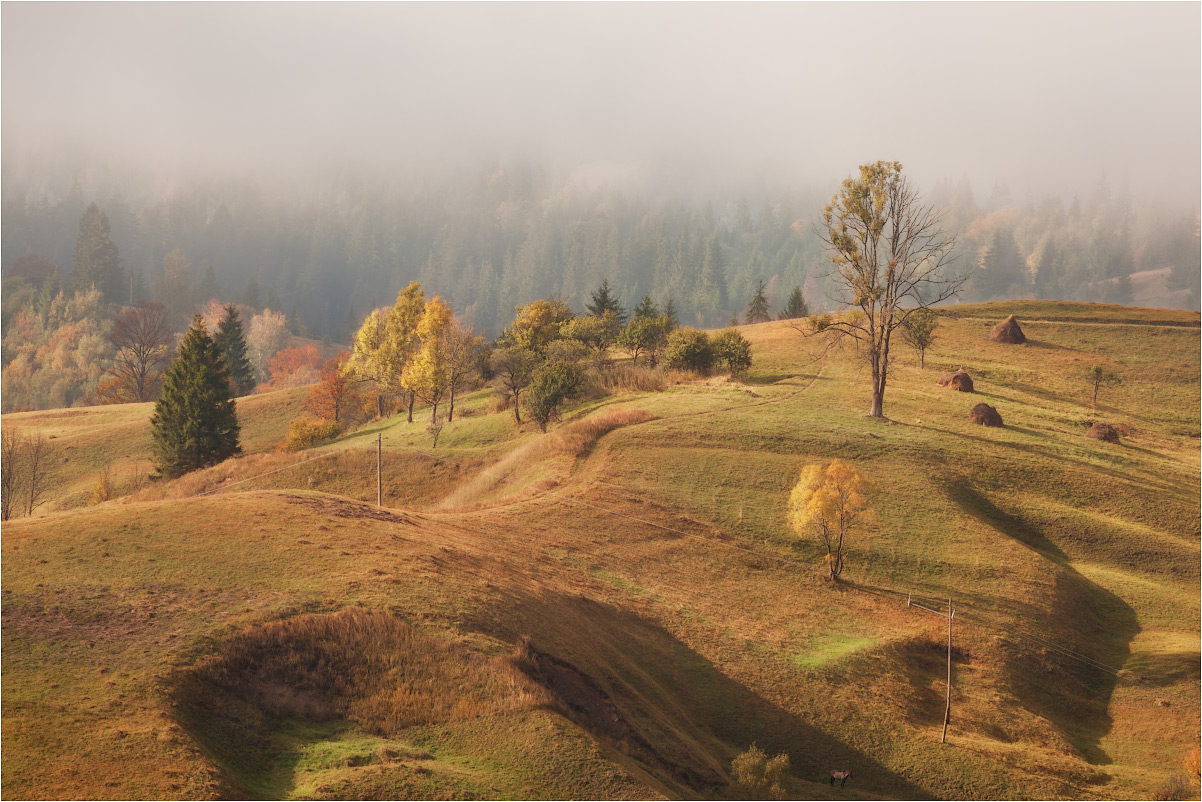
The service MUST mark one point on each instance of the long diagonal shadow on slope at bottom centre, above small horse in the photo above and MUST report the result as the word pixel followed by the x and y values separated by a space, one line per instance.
pixel 686 718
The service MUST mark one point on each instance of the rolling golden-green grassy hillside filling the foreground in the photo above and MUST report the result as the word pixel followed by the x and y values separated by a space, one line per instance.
pixel 617 609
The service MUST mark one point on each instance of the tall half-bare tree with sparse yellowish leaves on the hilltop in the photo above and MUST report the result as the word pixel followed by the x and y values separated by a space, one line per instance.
pixel 890 258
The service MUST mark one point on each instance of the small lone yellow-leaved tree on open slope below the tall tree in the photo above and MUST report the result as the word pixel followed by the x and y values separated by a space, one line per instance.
pixel 829 501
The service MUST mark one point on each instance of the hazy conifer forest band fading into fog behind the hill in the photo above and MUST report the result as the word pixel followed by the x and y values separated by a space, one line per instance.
pixel 499 239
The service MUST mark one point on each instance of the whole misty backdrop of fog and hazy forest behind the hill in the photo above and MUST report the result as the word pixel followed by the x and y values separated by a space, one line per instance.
pixel 314 159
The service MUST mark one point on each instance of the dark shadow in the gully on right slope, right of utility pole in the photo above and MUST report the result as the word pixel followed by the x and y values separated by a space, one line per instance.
pixel 1067 656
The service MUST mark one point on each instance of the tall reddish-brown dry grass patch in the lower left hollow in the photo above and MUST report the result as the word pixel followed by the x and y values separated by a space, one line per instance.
pixel 365 667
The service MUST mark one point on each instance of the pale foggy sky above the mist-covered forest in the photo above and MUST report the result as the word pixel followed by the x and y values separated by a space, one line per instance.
pixel 1045 97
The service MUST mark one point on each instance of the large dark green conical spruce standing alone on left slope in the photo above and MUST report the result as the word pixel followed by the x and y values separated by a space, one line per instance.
pixel 195 423
